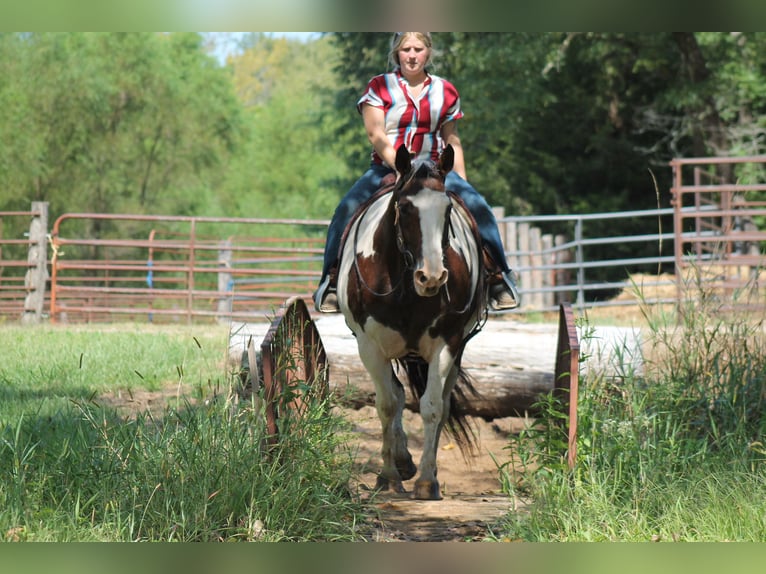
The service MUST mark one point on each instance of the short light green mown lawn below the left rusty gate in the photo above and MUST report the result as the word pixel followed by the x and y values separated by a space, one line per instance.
pixel 43 368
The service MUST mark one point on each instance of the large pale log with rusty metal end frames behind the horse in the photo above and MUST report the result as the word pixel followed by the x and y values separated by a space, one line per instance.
pixel 507 363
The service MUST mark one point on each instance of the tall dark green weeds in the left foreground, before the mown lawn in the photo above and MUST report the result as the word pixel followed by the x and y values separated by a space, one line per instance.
pixel 195 472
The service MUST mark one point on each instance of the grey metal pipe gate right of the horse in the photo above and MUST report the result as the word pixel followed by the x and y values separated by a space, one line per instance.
pixel 586 269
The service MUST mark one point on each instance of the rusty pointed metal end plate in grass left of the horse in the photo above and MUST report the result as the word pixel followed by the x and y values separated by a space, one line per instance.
pixel 294 363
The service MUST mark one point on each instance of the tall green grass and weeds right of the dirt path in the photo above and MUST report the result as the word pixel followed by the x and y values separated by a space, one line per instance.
pixel 674 452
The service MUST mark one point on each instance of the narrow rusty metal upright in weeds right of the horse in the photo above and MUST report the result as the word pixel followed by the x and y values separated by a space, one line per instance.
pixel 566 381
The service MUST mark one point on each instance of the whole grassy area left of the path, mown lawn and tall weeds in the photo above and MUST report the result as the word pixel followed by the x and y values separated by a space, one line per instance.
pixel 75 469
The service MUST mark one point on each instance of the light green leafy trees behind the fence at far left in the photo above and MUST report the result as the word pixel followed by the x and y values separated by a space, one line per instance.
pixel 117 122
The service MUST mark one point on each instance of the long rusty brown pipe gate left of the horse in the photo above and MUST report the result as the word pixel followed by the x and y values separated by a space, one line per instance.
pixel 189 277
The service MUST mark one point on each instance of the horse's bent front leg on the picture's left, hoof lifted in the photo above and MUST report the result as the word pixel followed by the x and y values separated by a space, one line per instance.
pixel 389 403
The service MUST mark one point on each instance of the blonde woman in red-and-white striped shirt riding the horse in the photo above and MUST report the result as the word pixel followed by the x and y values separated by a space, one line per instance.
pixel 413 107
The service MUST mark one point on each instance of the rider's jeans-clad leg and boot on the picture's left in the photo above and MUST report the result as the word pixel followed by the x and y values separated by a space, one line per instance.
pixel 324 297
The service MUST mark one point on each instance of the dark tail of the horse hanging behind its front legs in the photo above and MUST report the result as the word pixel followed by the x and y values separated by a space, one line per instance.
pixel 457 426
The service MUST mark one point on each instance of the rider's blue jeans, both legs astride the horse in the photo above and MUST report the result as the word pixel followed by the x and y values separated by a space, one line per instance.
pixel 369 183
